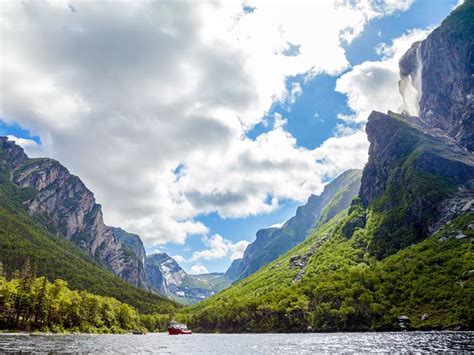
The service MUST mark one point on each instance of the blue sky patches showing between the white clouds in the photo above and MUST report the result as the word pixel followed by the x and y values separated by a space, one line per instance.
pixel 311 119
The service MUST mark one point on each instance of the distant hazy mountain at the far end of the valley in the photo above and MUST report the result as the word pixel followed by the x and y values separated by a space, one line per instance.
pixel 168 278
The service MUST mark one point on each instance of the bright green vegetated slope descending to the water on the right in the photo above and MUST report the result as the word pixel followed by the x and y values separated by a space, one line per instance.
pixel 345 288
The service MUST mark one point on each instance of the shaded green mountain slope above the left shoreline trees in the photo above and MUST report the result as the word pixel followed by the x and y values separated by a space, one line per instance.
pixel 54 256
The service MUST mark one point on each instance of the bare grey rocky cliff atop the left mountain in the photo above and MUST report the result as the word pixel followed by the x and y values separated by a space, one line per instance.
pixel 65 206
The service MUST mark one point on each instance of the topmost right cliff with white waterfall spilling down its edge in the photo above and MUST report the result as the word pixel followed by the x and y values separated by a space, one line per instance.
pixel 437 81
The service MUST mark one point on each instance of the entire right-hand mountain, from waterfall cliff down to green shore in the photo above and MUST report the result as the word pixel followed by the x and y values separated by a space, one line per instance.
pixel 401 255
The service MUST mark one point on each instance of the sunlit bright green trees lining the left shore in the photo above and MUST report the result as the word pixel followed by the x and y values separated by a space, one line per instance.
pixel 31 303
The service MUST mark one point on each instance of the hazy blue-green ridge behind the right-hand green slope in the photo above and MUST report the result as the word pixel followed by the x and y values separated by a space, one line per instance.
pixel 273 242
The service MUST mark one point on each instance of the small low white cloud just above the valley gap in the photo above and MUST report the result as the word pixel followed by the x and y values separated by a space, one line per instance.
pixel 220 248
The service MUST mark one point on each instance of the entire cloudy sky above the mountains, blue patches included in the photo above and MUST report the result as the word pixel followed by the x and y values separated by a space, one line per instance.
pixel 197 123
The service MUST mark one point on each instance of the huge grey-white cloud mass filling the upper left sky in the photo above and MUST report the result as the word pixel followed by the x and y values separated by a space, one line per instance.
pixel 150 102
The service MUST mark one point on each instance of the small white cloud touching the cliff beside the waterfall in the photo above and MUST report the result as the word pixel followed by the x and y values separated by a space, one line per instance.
pixel 373 85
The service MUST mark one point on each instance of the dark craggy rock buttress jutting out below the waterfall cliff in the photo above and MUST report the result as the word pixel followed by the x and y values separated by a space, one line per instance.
pixel 422 171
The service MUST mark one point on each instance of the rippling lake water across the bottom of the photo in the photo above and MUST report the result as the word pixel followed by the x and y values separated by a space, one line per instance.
pixel 243 343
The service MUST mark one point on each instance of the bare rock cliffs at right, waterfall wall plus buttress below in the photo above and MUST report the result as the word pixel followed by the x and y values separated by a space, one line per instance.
pixel 420 173
